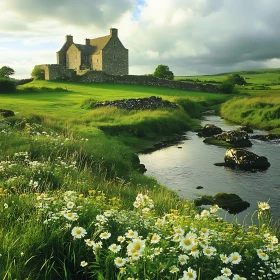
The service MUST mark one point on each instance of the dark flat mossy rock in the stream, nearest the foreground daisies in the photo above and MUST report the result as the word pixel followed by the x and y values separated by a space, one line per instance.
pixel 233 203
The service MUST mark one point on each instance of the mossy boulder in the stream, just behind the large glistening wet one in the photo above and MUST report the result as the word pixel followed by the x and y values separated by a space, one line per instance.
pixel 232 138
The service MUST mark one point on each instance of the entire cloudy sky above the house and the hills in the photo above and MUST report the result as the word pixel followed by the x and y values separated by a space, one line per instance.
pixel 190 36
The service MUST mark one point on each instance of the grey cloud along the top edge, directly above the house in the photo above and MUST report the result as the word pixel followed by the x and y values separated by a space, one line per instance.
pixel 83 12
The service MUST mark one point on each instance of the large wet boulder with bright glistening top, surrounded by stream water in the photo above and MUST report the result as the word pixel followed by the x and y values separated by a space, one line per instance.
pixel 243 159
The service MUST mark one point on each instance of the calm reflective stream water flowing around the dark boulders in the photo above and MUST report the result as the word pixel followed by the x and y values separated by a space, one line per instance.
pixel 185 166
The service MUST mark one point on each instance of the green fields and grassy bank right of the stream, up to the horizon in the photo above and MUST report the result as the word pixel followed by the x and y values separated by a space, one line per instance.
pixel 259 102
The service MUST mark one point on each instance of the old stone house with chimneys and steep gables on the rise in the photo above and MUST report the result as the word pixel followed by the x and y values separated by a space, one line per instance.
pixel 105 54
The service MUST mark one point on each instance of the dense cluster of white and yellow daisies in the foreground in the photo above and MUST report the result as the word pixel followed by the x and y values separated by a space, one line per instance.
pixel 140 245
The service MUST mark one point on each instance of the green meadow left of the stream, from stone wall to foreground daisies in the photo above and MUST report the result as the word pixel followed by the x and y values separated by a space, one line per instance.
pixel 74 206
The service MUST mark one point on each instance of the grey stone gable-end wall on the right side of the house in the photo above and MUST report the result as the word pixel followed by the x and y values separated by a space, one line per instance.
pixel 115 57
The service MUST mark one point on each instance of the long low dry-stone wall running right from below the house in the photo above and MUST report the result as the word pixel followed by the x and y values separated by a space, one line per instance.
pixel 101 77
